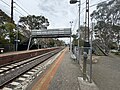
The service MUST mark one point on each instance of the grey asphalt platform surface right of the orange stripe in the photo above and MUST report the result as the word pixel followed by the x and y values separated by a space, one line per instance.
pixel 66 77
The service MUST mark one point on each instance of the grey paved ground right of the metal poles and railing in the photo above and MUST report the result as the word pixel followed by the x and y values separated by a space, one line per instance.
pixel 106 73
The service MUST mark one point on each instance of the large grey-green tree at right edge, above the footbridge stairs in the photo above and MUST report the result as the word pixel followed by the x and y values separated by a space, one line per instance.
pixel 108 21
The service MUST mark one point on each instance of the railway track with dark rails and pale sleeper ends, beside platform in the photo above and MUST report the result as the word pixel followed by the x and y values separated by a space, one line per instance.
pixel 28 69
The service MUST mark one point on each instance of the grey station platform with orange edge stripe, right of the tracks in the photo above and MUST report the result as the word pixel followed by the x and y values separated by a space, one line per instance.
pixel 62 75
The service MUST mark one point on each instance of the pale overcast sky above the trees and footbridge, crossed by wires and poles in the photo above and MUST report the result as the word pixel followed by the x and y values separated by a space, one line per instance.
pixel 58 12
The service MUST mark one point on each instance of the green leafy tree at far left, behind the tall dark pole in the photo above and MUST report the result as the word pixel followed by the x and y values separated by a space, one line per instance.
pixel 7 34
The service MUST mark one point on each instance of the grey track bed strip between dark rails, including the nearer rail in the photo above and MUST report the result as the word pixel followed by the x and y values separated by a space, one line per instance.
pixel 14 73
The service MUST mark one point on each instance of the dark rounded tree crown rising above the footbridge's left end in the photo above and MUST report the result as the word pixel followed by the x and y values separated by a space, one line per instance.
pixel 34 22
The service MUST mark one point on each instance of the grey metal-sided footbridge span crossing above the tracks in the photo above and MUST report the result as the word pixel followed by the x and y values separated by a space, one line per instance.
pixel 51 33
